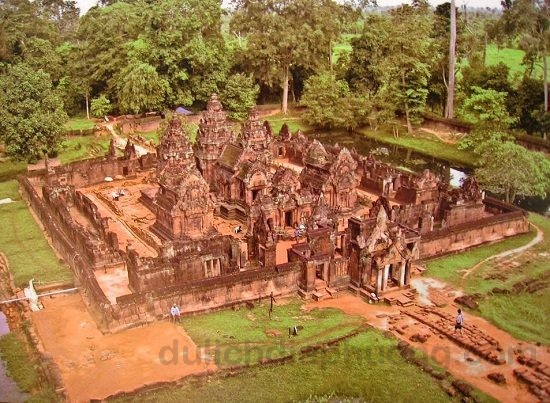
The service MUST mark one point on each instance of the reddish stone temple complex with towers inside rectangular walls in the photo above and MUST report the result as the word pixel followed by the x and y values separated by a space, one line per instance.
pixel 238 216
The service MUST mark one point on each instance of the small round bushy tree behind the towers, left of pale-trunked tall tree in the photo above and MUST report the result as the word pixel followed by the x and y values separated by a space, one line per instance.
pixel 239 95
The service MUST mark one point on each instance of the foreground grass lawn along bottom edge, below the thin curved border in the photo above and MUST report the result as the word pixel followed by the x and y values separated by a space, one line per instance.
pixel 367 367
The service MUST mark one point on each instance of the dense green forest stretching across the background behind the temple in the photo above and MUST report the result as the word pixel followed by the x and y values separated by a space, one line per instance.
pixel 350 63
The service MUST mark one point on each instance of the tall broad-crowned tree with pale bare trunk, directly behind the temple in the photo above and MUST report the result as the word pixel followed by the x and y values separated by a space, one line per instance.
pixel 282 34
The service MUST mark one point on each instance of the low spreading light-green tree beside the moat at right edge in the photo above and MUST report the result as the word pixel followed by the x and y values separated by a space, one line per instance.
pixel 512 170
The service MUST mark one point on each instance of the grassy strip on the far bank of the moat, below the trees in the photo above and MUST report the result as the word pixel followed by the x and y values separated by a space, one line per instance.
pixel 425 144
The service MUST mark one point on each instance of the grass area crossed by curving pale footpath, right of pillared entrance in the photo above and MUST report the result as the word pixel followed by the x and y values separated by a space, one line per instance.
pixel 525 315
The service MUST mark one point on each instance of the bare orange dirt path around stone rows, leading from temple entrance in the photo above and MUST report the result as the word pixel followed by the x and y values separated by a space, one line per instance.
pixel 459 361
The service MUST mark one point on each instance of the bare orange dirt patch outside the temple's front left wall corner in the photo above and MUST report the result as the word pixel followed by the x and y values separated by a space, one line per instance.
pixel 94 365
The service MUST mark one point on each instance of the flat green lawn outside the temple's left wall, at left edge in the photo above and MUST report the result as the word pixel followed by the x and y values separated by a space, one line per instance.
pixel 22 241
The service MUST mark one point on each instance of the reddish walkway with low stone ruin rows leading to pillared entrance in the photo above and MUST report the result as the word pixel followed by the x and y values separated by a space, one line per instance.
pixel 467 357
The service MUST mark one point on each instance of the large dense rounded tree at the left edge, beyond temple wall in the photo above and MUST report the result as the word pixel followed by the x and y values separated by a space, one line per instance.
pixel 32 116
